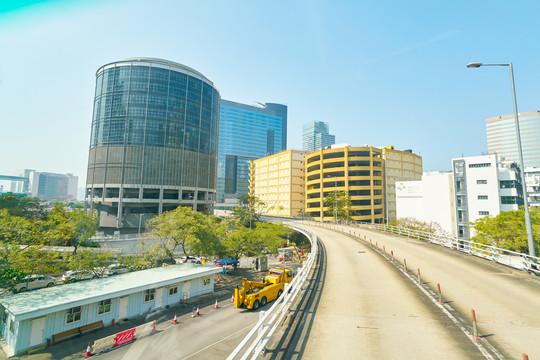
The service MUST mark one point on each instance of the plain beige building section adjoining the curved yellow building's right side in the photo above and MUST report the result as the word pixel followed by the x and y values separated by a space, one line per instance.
pixel 398 166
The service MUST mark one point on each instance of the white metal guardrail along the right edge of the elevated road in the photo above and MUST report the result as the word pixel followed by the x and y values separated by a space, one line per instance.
pixel 502 256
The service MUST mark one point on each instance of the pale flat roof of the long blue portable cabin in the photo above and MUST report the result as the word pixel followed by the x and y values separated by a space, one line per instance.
pixel 36 303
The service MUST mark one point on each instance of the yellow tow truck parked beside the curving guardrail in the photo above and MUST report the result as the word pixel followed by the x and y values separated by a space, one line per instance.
pixel 253 294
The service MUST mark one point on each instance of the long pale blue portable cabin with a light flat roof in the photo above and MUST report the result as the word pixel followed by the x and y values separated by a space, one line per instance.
pixel 28 320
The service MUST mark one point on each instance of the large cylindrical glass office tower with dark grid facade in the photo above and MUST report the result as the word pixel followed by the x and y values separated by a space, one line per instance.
pixel 153 143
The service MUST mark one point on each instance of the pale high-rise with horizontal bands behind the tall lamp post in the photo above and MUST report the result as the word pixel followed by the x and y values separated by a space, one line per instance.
pixel 501 138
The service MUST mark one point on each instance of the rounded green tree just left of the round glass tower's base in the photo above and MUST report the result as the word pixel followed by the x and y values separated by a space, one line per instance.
pixel 70 227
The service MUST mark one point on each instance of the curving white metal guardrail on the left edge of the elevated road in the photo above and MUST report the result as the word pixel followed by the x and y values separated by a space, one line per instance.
pixel 255 341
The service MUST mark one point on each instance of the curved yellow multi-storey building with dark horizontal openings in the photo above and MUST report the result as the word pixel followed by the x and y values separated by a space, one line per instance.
pixel 356 170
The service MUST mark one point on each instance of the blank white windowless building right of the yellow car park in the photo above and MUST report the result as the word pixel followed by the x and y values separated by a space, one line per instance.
pixel 431 200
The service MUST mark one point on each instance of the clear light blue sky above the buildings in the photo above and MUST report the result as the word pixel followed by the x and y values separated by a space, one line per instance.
pixel 381 73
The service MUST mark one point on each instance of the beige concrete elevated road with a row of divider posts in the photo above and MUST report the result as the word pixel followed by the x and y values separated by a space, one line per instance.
pixel 368 307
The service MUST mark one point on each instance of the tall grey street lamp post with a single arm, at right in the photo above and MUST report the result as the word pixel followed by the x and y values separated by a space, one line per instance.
pixel 528 225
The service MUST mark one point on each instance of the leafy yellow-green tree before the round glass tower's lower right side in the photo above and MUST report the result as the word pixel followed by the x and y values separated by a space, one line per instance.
pixel 190 230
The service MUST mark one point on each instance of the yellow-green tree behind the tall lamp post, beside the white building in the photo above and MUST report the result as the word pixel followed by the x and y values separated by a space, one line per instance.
pixel 507 230
